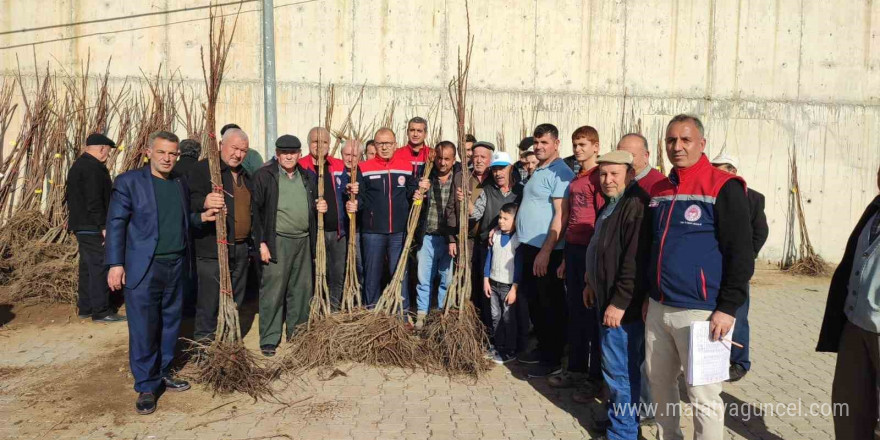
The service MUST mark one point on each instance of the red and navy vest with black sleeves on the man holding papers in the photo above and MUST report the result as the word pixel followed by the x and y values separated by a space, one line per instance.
pixel 702 255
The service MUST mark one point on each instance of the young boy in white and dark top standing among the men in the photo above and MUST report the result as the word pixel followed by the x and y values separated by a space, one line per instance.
pixel 502 272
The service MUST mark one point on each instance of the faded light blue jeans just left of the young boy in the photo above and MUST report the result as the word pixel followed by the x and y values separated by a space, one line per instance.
pixel 433 258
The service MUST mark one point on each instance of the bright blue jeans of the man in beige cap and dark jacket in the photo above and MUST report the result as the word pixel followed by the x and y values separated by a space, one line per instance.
pixel 623 350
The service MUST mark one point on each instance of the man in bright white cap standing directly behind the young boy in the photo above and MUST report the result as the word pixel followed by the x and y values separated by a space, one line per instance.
pixel 499 191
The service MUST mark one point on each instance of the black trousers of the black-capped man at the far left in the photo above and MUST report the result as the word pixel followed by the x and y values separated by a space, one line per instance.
pixel 94 294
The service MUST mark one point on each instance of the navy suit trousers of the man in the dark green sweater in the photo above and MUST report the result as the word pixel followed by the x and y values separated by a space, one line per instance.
pixel 153 310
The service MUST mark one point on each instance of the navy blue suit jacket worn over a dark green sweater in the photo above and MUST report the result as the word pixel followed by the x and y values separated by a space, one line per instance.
pixel 133 224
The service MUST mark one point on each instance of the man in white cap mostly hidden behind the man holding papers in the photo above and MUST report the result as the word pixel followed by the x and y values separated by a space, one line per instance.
pixel 739 357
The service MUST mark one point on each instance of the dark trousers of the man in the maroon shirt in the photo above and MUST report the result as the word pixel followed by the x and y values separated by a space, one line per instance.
pixel 584 354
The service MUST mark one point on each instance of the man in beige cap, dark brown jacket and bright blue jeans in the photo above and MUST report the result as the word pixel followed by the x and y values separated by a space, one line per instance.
pixel 617 260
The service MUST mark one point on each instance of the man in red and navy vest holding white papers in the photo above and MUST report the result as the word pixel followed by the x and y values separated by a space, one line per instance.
pixel 701 263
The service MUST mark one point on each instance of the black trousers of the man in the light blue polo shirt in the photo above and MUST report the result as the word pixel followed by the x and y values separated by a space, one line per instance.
pixel 547 306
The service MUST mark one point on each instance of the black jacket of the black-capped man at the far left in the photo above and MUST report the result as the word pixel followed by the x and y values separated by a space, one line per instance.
pixel 87 194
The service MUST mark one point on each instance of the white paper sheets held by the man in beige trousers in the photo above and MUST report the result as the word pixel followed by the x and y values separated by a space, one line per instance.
pixel 708 361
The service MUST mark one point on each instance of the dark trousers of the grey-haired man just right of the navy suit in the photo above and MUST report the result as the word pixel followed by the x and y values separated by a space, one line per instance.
pixel 208 303
